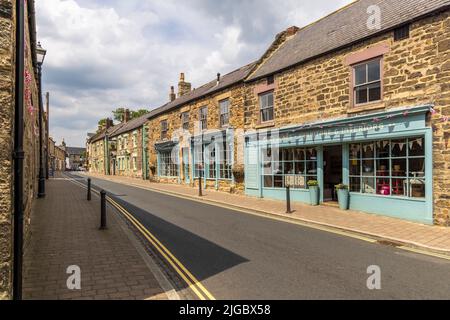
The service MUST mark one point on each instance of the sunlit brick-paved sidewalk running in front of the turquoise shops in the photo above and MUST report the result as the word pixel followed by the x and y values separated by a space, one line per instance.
pixel 407 233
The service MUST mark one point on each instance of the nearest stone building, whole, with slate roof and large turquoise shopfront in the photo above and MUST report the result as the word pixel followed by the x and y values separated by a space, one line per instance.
pixel 367 107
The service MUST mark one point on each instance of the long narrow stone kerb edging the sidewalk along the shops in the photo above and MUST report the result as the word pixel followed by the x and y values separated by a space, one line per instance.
pixel 375 236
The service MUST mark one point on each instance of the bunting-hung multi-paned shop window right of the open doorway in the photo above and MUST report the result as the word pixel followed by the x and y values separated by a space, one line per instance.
pixel 389 168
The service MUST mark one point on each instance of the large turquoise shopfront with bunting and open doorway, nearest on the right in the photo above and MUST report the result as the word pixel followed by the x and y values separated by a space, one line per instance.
pixel 384 158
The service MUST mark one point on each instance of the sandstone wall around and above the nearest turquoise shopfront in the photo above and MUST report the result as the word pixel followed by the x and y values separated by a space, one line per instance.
pixel 416 71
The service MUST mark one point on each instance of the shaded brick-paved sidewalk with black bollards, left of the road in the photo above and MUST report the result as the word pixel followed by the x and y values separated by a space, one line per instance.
pixel 65 232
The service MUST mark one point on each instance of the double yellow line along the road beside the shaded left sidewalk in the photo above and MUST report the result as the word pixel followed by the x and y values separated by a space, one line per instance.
pixel 195 285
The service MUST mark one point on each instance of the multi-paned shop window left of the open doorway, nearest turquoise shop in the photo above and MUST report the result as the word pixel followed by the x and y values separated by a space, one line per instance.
pixel 294 167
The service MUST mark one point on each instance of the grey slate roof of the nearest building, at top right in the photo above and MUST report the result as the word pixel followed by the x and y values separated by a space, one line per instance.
pixel 344 27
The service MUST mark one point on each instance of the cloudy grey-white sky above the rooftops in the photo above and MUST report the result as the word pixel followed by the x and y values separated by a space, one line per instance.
pixel 105 54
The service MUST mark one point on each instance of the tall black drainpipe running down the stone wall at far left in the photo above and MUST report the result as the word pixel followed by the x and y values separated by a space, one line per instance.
pixel 18 151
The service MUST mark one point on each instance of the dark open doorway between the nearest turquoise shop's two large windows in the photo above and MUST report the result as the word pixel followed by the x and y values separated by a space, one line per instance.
pixel 332 171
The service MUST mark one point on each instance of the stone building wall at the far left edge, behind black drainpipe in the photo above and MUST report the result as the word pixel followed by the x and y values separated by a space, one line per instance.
pixel 8 194
